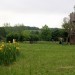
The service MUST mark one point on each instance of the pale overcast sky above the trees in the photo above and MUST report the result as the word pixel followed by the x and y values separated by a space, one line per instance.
pixel 35 12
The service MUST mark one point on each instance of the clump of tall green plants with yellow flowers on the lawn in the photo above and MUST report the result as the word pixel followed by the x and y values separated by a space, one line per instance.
pixel 8 53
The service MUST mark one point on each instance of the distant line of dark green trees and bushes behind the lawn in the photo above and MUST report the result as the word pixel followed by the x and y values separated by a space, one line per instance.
pixel 33 34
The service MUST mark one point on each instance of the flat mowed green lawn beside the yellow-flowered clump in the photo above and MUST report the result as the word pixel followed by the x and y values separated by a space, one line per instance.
pixel 43 59
